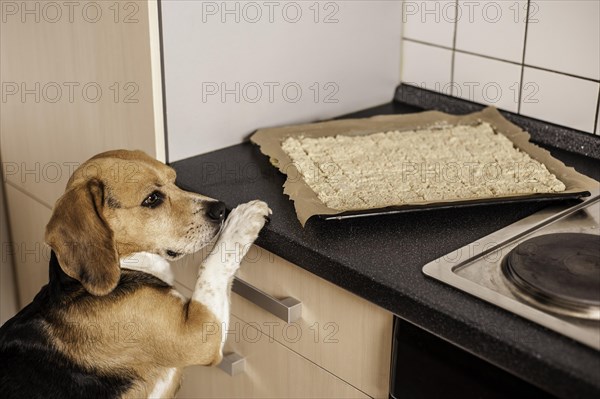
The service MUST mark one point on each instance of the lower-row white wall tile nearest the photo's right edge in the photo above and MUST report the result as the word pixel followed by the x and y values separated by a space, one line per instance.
pixel 559 99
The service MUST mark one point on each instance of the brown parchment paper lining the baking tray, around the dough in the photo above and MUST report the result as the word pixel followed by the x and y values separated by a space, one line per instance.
pixel 307 203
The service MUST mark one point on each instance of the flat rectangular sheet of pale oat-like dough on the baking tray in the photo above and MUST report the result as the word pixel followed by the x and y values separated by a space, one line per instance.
pixel 419 166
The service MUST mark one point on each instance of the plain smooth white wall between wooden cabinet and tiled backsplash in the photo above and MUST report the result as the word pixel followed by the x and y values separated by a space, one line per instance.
pixel 232 67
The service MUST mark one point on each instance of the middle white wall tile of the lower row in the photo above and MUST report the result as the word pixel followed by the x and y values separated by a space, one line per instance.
pixel 487 81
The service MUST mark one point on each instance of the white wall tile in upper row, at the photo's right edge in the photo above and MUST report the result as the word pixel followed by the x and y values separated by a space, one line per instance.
pixel 565 36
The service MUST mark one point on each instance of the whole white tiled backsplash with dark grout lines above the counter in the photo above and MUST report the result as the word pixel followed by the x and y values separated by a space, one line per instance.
pixel 540 59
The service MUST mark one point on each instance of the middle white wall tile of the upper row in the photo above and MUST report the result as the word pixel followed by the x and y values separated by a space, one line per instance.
pixel 492 28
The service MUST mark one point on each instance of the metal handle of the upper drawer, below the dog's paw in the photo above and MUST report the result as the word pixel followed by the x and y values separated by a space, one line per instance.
pixel 287 309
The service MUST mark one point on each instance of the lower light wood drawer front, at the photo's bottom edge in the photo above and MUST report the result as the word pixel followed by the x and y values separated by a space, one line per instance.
pixel 271 371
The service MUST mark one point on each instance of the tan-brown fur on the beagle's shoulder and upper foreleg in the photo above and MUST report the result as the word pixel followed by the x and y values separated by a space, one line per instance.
pixel 147 330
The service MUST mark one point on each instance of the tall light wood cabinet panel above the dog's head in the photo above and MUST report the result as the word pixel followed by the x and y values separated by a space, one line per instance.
pixel 76 80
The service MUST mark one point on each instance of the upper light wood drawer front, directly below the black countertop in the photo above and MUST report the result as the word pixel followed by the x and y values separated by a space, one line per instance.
pixel 339 331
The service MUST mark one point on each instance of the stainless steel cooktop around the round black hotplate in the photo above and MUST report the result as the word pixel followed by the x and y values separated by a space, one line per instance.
pixel 477 268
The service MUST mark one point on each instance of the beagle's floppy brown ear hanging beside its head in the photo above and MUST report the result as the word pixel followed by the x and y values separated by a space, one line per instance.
pixel 81 239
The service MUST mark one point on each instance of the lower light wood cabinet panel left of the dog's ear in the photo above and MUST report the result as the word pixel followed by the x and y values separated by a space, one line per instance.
pixel 28 219
